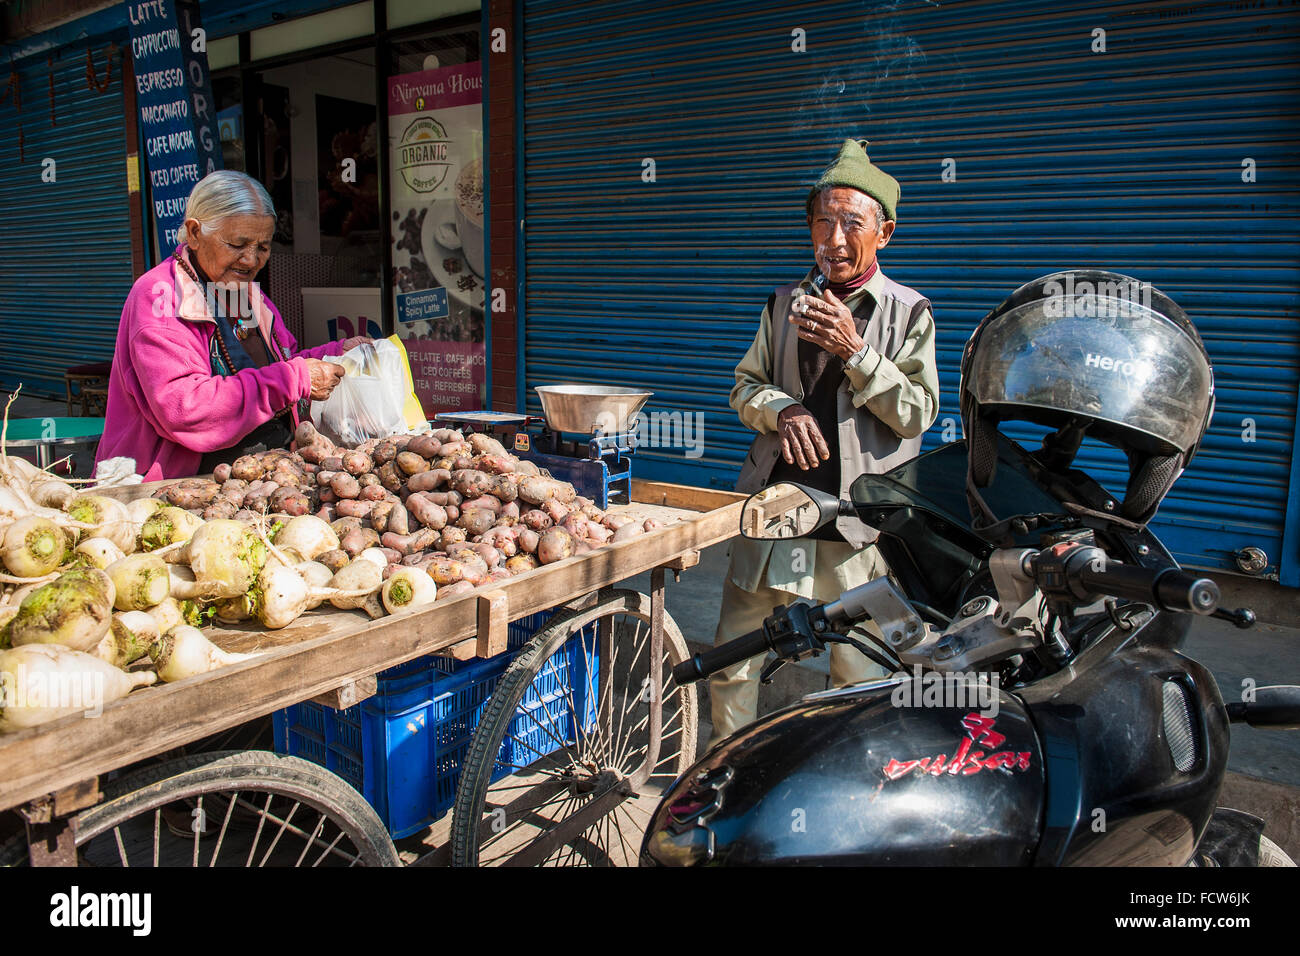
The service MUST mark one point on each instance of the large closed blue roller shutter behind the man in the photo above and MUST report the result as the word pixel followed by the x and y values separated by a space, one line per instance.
pixel 1129 159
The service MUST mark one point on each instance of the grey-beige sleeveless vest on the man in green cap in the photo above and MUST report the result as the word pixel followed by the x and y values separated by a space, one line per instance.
pixel 866 444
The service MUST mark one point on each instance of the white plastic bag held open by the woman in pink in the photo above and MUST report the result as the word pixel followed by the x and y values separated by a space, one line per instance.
pixel 369 400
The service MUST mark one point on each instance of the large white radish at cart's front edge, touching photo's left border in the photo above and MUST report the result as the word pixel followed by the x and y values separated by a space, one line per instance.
pixel 45 682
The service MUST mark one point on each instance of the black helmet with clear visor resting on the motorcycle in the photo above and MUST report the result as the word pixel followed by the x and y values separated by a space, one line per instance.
pixel 1089 353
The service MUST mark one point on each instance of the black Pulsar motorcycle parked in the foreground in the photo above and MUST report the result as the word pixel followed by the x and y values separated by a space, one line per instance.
pixel 1041 711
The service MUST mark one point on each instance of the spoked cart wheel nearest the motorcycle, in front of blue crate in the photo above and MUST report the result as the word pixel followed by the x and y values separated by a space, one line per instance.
pixel 578 742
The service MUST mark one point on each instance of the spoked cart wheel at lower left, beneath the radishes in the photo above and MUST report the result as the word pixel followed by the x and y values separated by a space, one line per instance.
pixel 245 808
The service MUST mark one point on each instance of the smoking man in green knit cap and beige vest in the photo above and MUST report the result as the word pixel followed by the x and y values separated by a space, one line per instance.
pixel 835 386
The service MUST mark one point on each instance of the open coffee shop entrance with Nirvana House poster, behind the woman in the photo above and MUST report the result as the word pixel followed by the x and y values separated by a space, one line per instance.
pixel 374 157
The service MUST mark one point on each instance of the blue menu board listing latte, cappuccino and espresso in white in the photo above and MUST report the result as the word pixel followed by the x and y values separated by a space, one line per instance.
pixel 174 94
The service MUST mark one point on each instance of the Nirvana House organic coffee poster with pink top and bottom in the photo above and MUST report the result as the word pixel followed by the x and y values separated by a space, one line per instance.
pixel 437 176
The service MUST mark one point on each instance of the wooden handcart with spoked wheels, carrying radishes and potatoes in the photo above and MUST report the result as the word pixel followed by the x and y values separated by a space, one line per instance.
pixel 577 789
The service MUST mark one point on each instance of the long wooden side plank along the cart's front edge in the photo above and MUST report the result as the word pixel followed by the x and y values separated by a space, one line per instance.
pixel 323 652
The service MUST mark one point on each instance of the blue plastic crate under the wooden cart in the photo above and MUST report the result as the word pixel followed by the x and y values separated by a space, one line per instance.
pixel 405 747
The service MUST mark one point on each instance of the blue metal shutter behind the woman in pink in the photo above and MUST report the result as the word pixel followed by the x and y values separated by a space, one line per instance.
pixel 66 246
